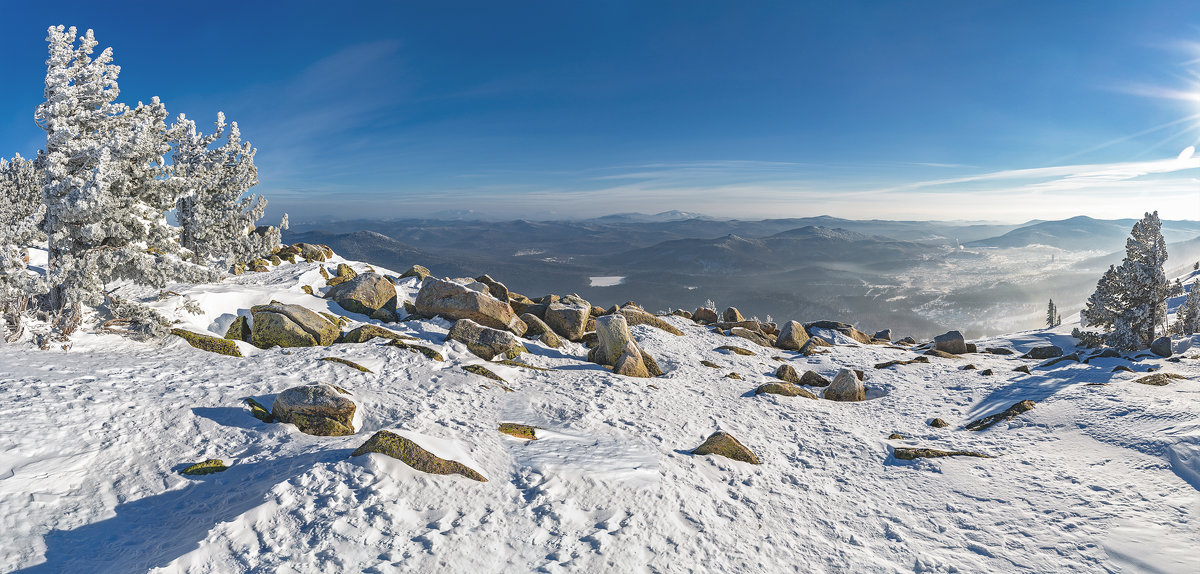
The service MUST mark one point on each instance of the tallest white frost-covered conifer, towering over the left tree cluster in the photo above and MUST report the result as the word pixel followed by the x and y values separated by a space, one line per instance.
pixel 105 181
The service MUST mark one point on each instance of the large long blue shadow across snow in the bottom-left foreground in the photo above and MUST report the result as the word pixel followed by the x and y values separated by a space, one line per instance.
pixel 152 533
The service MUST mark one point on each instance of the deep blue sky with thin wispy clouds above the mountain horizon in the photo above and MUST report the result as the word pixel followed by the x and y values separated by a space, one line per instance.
pixel 898 110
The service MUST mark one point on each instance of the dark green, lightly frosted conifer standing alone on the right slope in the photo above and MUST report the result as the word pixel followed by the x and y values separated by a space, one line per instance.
pixel 1132 298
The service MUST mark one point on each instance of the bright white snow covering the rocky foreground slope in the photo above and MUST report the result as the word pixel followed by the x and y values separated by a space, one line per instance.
pixel 1096 479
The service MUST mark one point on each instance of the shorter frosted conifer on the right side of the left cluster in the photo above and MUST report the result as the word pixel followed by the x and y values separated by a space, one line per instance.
pixel 218 219
